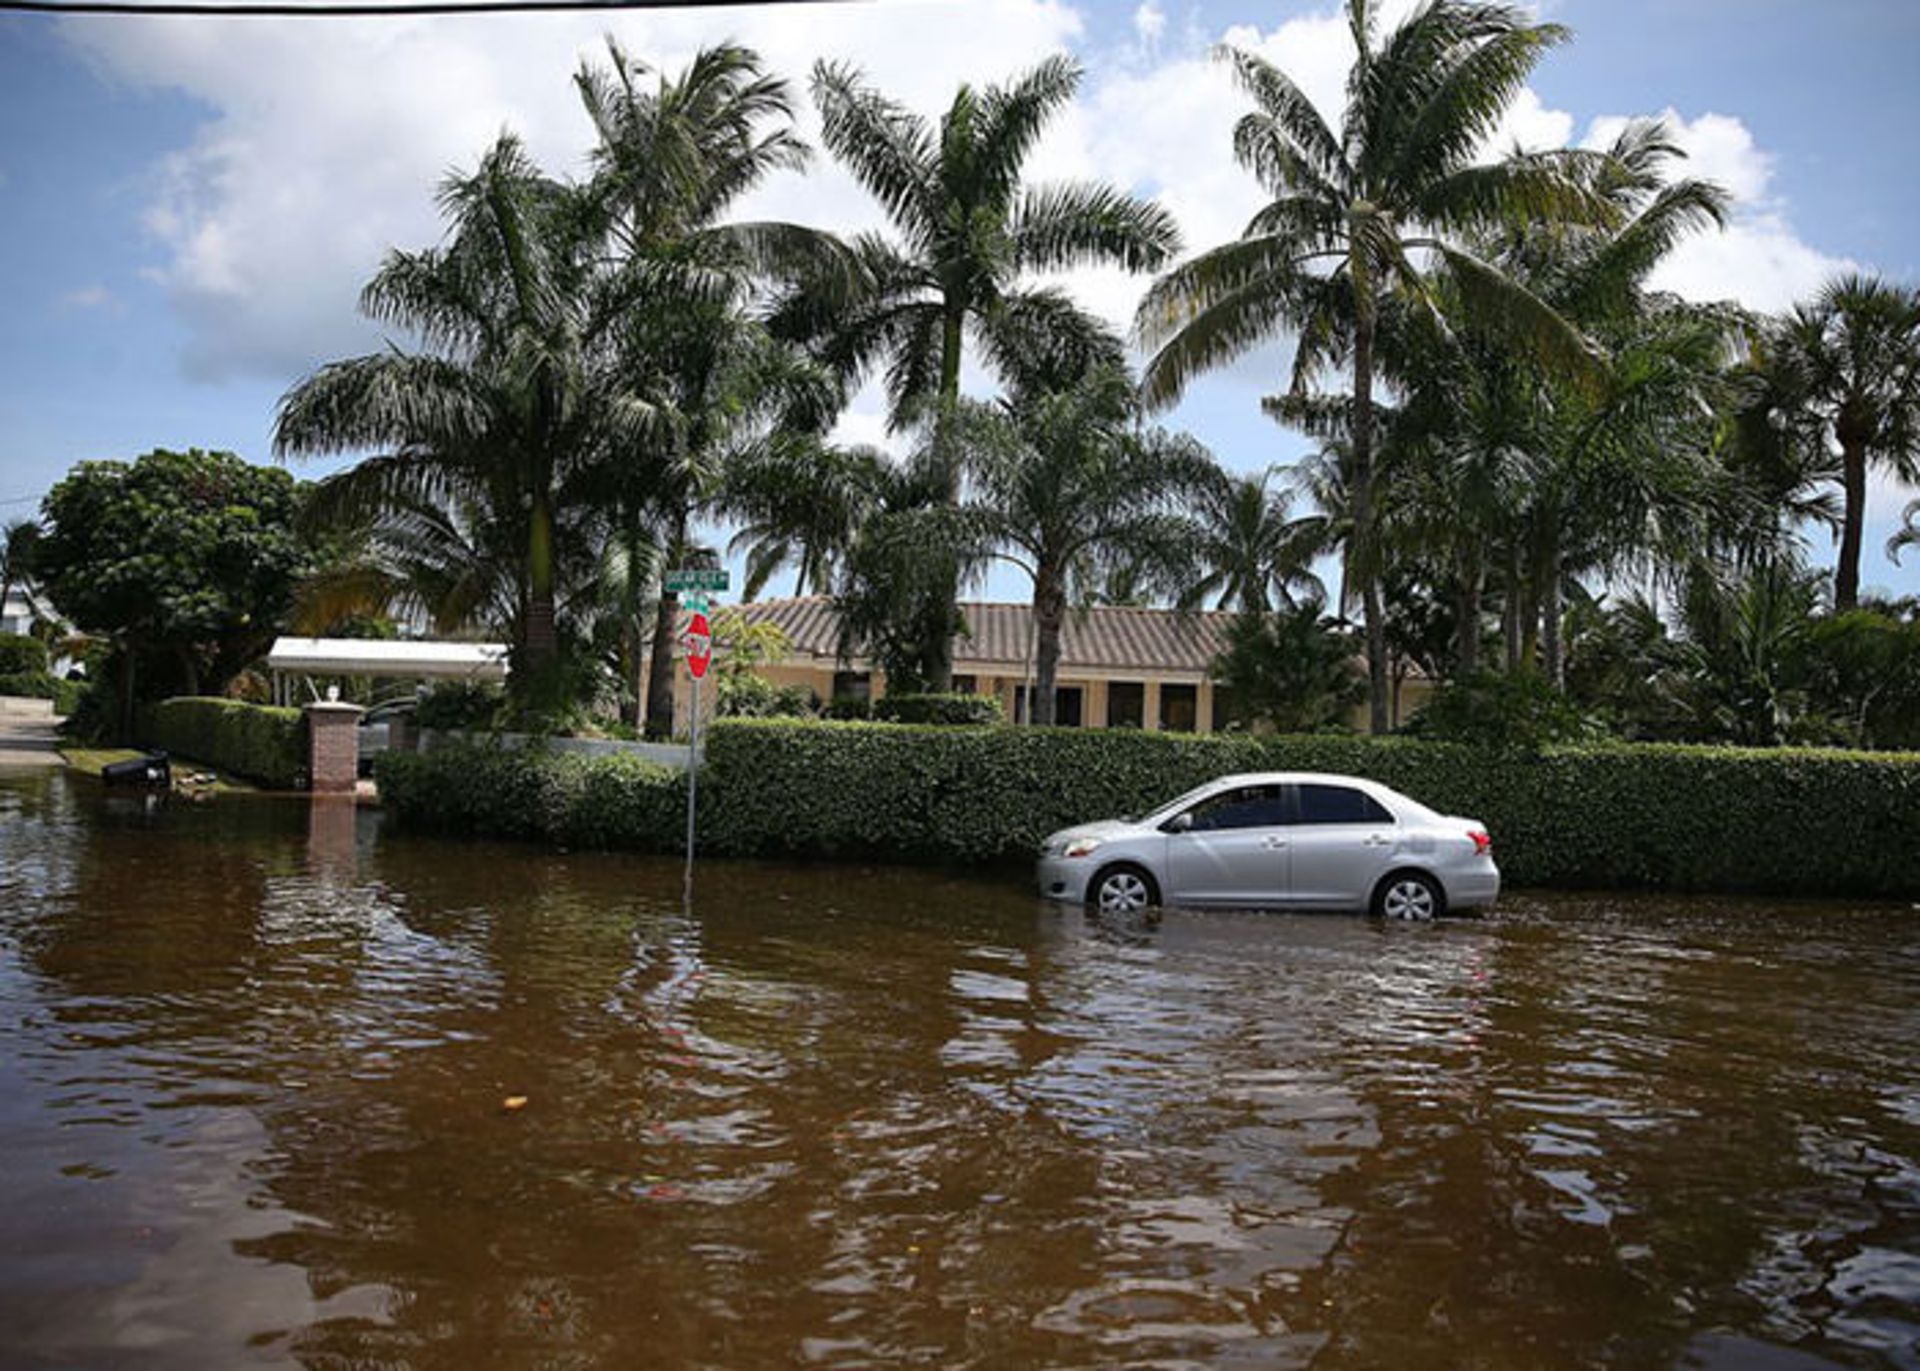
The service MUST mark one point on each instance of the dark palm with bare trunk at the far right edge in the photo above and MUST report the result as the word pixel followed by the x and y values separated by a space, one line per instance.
pixel 1854 358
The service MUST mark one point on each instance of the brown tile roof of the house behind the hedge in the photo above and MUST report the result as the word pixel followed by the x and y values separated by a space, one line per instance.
pixel 1101 638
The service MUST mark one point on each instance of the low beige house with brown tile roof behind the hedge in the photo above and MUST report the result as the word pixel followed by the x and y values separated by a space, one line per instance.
pixel 1120 667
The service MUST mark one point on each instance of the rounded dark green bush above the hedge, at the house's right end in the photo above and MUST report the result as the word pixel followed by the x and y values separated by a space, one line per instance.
pixel 1291 669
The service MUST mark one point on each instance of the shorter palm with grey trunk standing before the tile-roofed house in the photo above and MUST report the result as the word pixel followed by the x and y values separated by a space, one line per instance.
pixel 1068 485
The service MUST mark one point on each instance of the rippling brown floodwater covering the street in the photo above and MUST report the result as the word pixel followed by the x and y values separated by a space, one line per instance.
pixel 279 1090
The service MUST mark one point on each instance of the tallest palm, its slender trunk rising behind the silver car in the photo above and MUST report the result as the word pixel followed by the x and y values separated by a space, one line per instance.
pixel 1355 220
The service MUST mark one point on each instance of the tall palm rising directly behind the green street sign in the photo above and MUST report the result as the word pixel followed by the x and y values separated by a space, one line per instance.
pixel 673 158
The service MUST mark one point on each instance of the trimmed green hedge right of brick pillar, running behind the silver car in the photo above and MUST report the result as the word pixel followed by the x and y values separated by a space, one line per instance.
pixel 1589 817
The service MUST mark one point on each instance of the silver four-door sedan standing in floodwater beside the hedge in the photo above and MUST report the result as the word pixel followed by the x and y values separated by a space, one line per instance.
pixel 1278 840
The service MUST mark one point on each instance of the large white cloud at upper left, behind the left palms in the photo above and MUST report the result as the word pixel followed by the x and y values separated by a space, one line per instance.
pixel 327 141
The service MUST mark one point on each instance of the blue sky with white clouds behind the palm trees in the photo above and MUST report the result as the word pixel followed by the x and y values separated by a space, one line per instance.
pixel 191 206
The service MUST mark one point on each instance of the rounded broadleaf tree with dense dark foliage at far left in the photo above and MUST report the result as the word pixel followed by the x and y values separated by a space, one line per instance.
pixel 185 562
